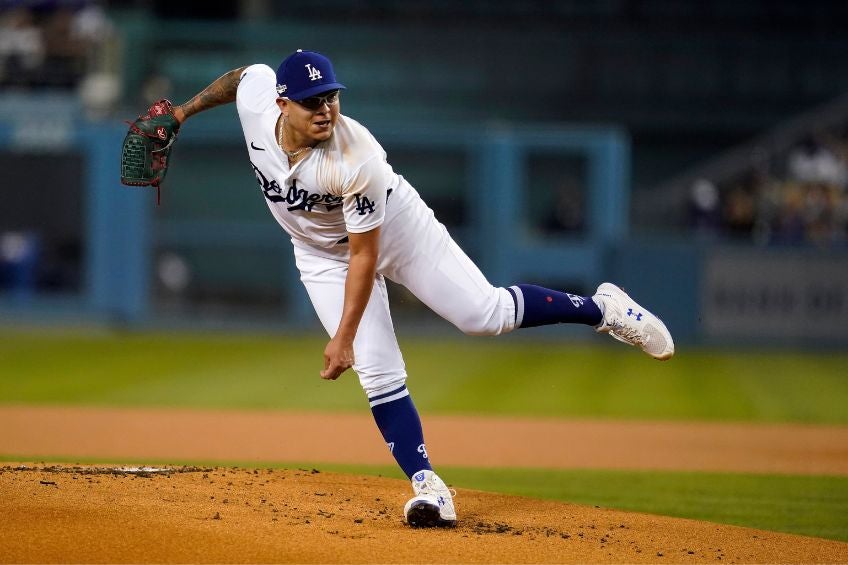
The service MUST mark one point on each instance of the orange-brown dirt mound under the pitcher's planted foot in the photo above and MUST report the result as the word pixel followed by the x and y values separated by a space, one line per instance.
pixel 64 514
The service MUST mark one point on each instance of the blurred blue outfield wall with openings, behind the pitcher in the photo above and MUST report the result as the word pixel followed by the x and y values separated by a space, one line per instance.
pixel 83 247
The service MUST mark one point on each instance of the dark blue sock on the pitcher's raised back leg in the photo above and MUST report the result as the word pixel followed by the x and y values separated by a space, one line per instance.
pixel 538 306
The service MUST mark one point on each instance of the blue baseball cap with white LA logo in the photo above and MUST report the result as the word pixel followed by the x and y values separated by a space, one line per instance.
pixel 305 73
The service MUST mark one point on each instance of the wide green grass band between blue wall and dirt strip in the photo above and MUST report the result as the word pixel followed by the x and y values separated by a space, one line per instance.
pixel 461 375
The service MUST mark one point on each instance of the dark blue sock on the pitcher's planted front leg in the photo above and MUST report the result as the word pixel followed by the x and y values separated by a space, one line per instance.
pixel 400 425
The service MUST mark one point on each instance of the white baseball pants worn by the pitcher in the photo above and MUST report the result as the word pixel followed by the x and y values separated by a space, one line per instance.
pixel 417 252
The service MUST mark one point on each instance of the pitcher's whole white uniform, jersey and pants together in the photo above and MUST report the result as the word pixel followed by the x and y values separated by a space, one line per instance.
pixel 344 185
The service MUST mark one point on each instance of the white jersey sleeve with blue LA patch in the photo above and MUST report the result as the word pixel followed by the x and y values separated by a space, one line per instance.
pixel 365 195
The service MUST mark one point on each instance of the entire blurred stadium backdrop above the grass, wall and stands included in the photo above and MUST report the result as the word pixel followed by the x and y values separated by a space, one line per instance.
pixel 694 152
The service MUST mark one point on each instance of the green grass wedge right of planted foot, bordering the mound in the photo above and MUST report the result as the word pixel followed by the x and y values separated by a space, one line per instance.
pixel 807 505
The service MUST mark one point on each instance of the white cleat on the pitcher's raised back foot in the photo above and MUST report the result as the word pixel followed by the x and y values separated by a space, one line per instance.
pixel 628 322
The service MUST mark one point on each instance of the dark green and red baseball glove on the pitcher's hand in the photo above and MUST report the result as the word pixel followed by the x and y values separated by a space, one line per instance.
pixel 147 145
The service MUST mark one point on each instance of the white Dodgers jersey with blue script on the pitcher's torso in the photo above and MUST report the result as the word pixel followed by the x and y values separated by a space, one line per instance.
pixel 341 186
